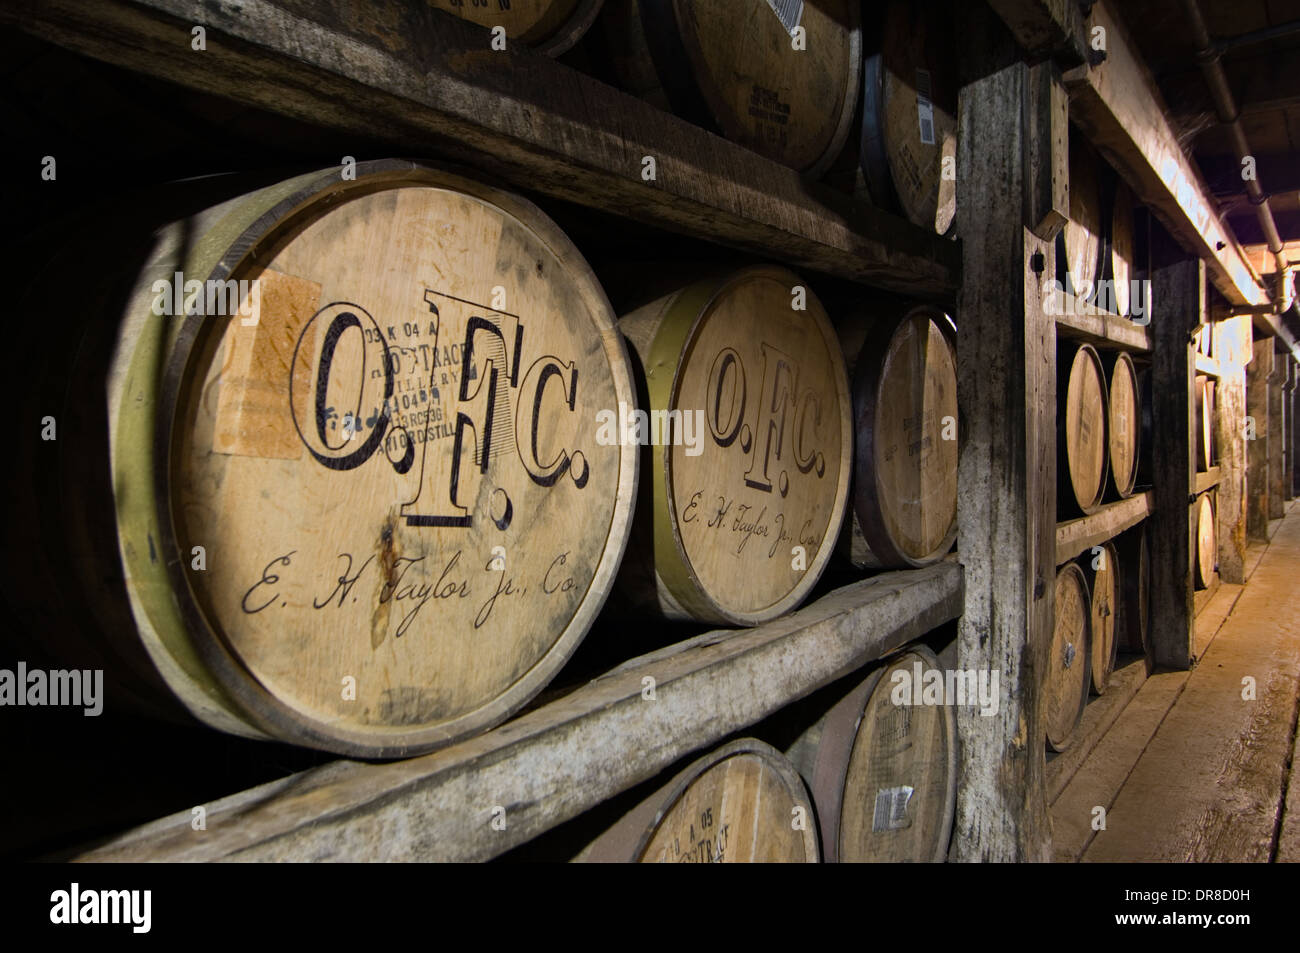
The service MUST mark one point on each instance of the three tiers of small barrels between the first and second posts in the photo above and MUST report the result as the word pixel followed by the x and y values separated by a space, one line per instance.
pixel 1103 453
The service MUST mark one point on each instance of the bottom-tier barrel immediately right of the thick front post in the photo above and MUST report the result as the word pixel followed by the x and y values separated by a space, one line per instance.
pixel 1069 670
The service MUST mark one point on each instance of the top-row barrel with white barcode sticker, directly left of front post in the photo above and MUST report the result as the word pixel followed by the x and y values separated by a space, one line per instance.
pixel 909 114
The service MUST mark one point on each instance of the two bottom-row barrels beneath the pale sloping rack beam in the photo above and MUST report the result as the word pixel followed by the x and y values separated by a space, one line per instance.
pixel 873 781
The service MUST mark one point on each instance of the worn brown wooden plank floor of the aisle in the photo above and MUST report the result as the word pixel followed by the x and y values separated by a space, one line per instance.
pixel 1185 766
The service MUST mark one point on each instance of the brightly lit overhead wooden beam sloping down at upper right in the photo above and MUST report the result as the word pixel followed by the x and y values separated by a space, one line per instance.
pixel 1121 110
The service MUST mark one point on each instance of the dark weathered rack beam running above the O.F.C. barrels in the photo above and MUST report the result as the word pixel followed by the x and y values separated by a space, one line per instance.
pixel 432 85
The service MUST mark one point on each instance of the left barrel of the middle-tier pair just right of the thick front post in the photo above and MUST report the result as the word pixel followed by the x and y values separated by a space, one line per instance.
pixel 1082 428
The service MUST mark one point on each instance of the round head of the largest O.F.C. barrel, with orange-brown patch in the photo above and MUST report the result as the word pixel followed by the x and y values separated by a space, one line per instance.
pixel 447 506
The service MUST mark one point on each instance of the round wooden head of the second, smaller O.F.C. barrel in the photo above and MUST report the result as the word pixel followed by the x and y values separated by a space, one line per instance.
pixel 757 480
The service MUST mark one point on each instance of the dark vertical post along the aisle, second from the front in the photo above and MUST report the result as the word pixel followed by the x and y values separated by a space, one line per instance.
pixel 1178 309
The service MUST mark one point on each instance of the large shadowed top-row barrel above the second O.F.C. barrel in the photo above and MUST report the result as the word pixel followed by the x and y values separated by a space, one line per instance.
pixel 781 79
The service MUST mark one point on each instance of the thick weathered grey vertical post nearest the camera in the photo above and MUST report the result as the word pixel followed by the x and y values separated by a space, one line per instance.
pixel 1013 127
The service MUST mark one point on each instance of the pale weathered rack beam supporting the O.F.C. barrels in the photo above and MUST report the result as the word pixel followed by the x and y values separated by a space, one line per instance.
pixel 565 757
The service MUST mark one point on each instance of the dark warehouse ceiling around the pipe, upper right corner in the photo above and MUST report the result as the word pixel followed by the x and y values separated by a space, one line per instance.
pixel 1264 76
